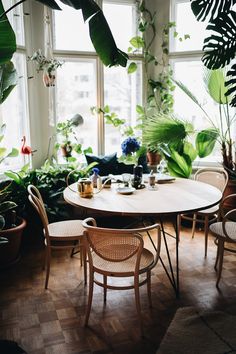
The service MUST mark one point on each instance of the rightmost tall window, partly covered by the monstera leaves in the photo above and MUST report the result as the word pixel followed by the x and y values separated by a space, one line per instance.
pixel 185 59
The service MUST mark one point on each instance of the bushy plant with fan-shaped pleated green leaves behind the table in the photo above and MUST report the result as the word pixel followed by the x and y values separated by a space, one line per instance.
pixel 173 138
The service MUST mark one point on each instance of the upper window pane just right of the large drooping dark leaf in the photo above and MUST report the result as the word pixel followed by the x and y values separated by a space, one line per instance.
pixel 122 32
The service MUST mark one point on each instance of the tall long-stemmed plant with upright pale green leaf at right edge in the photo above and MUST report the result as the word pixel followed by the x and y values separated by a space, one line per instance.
pixel 222 124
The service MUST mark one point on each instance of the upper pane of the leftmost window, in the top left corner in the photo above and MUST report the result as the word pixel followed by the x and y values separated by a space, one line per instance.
pixel 15 18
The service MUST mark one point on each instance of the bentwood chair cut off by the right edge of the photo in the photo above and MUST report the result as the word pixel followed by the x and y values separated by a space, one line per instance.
pixel 225 232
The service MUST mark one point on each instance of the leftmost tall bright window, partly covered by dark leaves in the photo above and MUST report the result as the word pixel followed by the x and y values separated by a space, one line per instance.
pixel 13 112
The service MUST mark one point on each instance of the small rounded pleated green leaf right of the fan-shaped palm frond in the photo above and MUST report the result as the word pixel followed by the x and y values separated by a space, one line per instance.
pixel 205 141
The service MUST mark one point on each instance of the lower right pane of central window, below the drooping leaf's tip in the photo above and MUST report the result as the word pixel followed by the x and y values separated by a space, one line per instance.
pixel 122 93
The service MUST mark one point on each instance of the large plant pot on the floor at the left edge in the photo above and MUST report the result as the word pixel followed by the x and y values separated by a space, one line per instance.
pixel 10 252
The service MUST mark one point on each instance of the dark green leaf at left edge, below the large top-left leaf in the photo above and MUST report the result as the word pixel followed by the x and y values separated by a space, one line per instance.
pixel 8 80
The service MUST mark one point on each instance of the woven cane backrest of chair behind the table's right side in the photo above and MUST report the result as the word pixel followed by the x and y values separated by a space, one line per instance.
pixel 215 176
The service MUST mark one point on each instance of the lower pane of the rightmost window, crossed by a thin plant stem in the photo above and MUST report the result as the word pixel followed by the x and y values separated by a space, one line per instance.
pixel 190 72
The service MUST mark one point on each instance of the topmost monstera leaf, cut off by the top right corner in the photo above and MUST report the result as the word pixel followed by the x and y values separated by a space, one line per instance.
pixel 209 8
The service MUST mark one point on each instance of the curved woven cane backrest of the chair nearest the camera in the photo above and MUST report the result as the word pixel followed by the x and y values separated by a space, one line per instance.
pixel 116 245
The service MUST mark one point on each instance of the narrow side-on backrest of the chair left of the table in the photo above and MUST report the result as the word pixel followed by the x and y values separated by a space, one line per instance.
pixel 36 200
